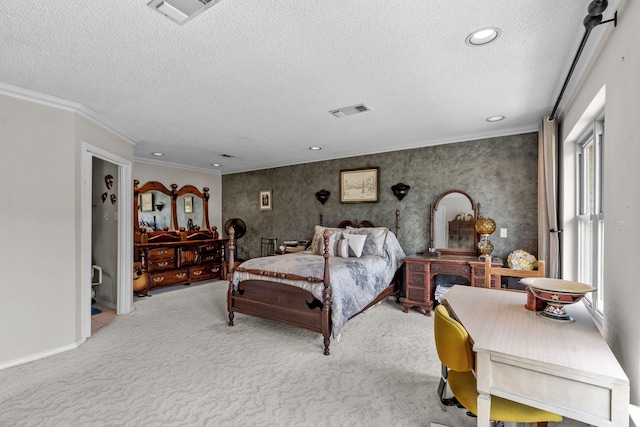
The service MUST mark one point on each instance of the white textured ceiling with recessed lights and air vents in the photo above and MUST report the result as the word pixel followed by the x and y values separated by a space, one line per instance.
pixel 256 79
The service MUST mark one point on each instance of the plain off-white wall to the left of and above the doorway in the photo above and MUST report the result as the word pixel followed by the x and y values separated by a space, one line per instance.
pixel 40 246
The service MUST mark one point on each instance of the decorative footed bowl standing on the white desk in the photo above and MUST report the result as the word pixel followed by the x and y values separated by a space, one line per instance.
pixel 556 293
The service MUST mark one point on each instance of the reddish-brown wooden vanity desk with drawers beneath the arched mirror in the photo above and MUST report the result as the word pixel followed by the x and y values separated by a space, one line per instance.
pixel 421 272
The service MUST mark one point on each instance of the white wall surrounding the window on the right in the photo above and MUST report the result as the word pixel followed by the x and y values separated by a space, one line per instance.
pixel 616 68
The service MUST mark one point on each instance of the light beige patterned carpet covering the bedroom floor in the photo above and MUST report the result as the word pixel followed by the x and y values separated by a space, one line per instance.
pixel 175 362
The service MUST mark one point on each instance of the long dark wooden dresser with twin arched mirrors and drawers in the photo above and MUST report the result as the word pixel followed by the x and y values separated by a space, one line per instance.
pixel 173 241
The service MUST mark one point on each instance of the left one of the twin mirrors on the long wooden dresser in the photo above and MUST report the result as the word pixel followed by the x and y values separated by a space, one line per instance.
pixel 152 207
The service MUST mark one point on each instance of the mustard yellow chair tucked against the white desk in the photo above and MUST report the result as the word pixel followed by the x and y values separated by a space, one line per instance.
pixel 454 350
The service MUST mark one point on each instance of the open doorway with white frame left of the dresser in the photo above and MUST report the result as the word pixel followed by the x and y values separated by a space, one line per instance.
pixel 106 233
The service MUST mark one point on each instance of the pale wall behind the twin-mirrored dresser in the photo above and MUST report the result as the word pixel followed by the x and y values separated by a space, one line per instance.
pixel 167 175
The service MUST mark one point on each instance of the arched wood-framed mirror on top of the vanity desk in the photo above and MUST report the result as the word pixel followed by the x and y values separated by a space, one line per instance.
pixel 453 218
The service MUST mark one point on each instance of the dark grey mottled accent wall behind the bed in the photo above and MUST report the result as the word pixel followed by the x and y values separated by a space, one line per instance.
pixel 499 173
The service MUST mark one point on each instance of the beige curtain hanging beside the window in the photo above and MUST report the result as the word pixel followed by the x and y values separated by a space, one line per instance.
pixel 548 239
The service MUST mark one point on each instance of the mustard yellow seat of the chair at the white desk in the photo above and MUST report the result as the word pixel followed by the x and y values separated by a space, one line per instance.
pixel 464 388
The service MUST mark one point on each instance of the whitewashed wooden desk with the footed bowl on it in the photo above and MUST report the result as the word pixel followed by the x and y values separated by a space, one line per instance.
pixel 566 368
